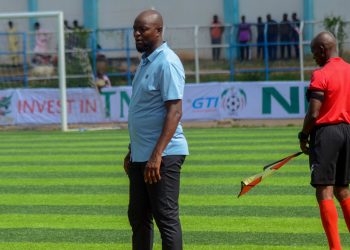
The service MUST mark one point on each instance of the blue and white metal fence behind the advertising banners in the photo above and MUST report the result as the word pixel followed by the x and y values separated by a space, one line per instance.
pixel 27 67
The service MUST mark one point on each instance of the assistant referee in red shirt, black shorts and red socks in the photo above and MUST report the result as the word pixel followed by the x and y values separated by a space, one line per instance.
pixel 325 135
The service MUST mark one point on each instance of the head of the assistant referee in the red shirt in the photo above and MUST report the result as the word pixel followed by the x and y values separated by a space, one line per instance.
pixel 323 47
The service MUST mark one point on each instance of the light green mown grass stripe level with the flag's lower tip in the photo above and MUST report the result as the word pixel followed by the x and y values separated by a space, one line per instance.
pixel 185 200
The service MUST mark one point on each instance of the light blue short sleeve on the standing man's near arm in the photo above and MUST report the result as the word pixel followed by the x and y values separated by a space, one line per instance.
pixel 172 82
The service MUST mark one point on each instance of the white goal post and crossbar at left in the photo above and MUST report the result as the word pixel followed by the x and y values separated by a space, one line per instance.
pixel 60 53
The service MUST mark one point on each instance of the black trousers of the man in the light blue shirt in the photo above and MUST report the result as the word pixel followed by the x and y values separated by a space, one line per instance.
pixel 158 201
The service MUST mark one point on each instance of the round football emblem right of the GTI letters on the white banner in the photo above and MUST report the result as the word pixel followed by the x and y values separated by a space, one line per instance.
pixel 233 100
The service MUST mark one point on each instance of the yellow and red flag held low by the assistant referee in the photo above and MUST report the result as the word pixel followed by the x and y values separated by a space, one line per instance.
pixel 252 181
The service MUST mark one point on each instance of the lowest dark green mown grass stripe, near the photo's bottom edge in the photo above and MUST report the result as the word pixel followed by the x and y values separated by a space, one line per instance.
pixel 204 238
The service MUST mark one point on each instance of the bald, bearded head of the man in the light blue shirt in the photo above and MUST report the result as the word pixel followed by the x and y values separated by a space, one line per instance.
pixel 148 28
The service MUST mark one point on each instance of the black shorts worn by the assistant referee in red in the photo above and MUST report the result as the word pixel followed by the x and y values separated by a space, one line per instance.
pixel 330 155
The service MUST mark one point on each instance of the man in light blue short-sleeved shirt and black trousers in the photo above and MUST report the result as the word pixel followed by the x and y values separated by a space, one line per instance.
pixel 157 144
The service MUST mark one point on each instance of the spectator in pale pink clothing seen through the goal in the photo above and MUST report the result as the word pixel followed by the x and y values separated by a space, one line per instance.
pixel 41 49
